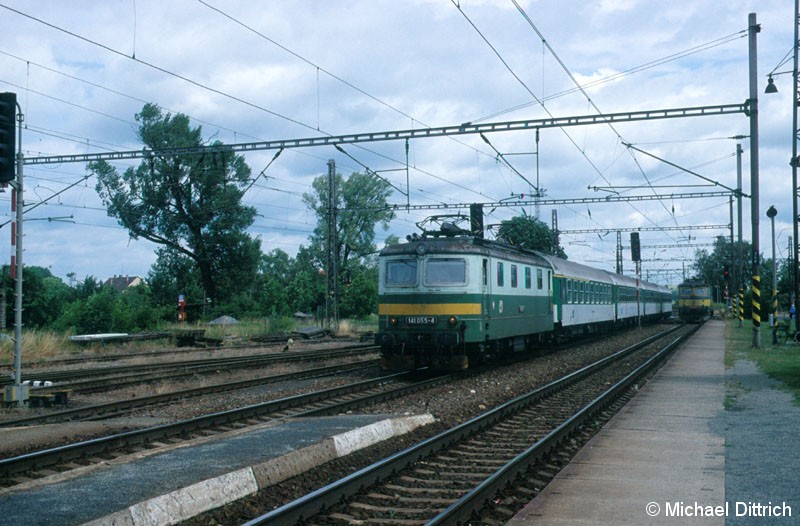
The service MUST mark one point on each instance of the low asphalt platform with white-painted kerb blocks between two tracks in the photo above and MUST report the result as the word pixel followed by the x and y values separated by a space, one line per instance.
pixel 167 486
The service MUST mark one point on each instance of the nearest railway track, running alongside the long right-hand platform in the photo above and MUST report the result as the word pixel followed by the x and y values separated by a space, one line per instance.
pixel 458 476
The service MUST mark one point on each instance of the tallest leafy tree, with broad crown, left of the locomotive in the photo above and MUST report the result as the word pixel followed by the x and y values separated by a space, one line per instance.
pixel 190 204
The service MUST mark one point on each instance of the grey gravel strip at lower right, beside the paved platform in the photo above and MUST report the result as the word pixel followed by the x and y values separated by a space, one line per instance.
pixel 762 436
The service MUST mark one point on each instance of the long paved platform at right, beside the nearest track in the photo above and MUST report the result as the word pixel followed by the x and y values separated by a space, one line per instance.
pixel 660 460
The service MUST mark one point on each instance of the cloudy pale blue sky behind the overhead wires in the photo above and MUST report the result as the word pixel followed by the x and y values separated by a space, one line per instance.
pixel 255 71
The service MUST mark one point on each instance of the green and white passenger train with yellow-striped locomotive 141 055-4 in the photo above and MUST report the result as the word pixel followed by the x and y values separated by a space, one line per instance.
pixel 448 299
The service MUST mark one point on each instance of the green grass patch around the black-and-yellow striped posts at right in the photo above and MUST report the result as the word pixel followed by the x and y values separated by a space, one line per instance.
pixel 780 362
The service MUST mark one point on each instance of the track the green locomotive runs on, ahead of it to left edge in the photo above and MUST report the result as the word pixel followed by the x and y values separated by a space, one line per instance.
pixel 39 464
